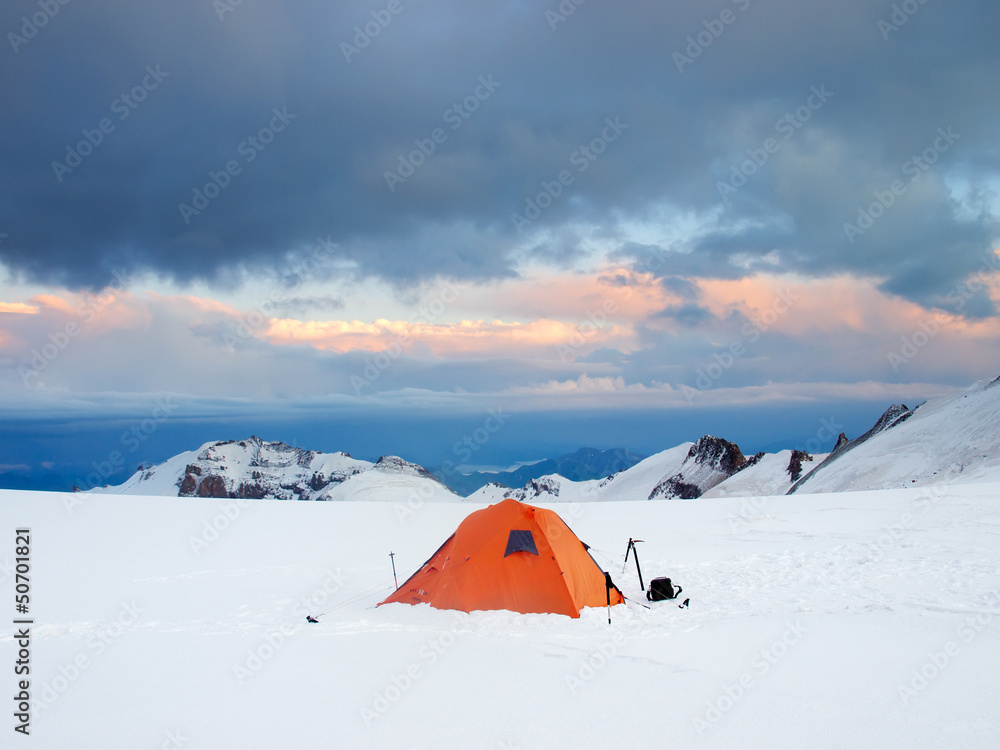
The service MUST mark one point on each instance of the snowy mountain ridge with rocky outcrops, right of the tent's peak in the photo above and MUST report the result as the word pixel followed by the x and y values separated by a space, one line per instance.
pixel 953 438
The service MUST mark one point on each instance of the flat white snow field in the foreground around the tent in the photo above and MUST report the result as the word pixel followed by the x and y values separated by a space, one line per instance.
pixel 808 614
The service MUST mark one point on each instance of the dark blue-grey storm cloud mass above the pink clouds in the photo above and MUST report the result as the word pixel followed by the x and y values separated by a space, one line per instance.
pixel 478 109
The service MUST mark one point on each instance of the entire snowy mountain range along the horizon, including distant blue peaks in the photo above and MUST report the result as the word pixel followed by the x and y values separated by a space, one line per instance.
pixel 955 438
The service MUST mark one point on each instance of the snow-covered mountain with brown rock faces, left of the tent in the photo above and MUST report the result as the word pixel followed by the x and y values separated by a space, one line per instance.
pixel 255 468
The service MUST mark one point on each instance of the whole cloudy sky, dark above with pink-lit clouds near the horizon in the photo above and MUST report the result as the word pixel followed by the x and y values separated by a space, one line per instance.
pixel 408 226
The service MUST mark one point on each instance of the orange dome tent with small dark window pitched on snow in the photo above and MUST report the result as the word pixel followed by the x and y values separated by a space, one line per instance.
pixel 510 556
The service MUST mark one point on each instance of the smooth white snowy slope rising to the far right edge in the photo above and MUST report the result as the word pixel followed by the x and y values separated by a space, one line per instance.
pixel 953 438
